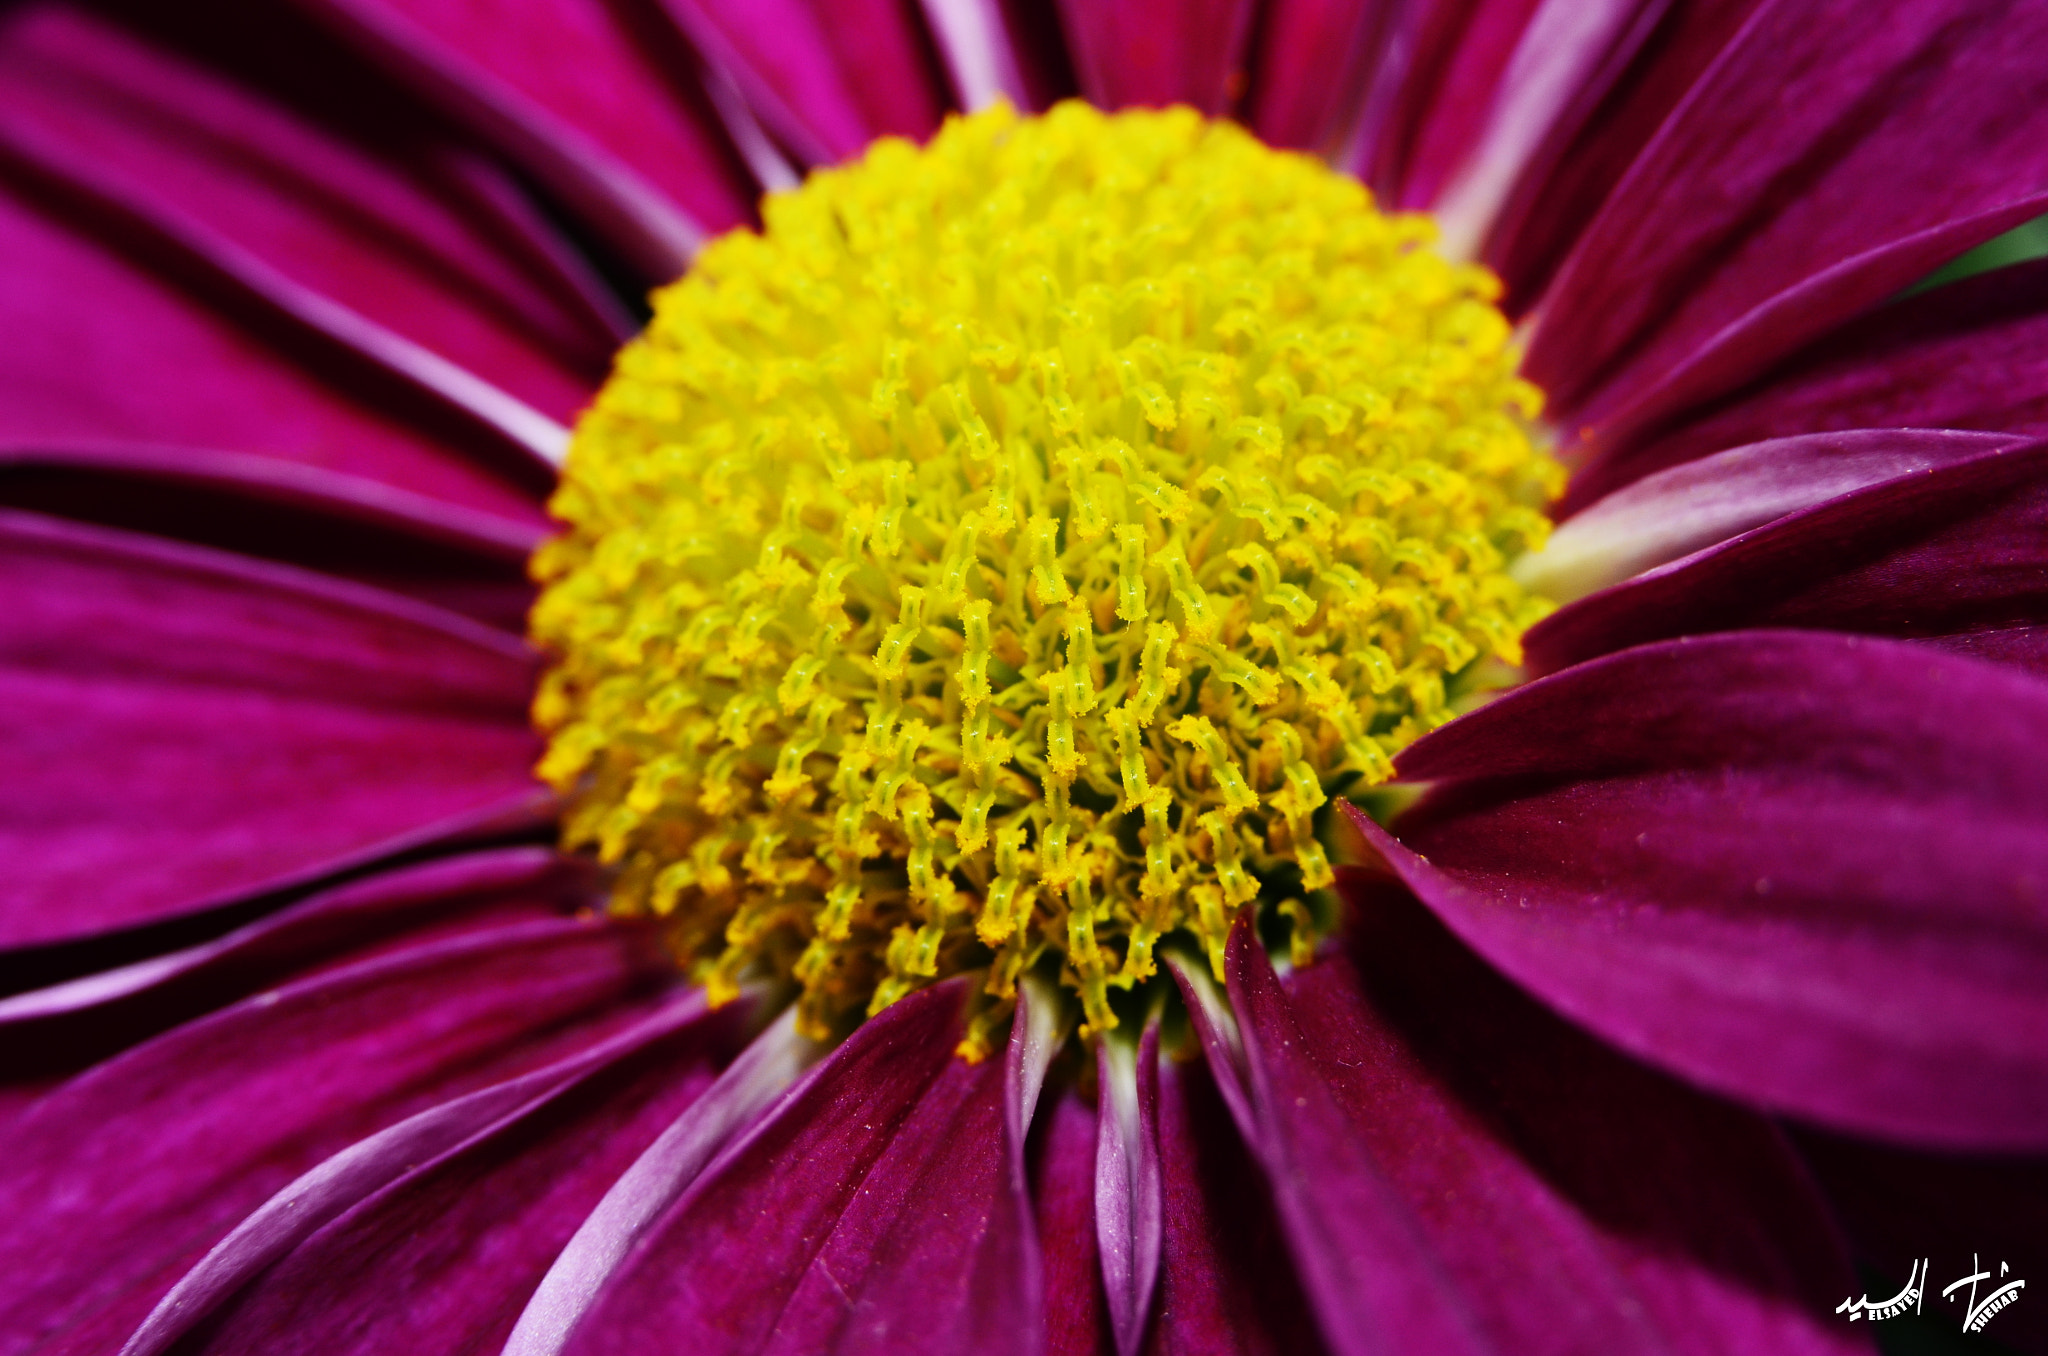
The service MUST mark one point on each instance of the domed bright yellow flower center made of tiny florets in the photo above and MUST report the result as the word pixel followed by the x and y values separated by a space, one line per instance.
pixel 1000 560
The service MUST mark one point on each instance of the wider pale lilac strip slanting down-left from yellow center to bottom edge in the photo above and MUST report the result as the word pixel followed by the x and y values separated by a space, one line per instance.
pixel 652 1183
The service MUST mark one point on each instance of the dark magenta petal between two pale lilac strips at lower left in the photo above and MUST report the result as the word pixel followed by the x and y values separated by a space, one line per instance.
pixel 443 1257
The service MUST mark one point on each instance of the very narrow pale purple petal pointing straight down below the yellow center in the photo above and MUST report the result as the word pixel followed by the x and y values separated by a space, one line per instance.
pixel 1127 1181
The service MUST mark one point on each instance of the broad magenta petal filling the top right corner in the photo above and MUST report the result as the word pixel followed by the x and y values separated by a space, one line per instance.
pixel 1754 224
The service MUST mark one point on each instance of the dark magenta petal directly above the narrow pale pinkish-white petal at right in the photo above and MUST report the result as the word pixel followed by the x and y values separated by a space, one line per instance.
pixel 1971 355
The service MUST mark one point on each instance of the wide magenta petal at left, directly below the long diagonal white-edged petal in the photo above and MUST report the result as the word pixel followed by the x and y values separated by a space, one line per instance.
pixel 124 355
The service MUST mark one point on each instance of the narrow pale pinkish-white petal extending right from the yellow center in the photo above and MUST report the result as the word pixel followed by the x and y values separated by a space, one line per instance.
pixel 1703 503
